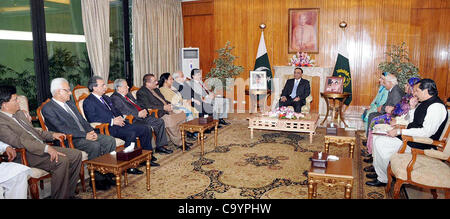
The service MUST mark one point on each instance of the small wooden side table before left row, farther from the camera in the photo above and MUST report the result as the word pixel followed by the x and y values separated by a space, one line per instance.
pixel 195 126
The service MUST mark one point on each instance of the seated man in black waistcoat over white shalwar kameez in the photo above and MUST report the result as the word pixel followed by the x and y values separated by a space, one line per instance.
pixel 427 120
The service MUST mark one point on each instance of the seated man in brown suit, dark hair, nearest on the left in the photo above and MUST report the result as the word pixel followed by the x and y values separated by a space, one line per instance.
pixel 16 130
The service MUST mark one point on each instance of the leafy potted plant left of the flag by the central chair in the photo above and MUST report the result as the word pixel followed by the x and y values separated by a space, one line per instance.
pixel 224 67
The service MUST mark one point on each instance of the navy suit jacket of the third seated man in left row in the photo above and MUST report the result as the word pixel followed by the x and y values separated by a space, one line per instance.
pixel 96 111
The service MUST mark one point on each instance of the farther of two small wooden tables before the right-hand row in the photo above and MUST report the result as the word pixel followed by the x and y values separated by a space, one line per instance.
pixel 340 138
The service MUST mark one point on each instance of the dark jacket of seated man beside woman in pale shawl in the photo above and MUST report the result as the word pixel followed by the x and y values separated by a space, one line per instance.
pixel 147 100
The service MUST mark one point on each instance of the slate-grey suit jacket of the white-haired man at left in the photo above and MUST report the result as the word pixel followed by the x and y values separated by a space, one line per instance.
pixel 59 120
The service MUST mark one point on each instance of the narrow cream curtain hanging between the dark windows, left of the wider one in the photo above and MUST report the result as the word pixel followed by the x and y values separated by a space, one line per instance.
pixel 96 30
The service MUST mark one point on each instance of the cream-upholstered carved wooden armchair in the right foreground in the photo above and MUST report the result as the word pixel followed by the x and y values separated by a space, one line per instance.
pixel 424 168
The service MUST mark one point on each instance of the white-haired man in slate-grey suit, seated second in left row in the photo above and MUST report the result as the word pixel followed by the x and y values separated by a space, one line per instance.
pixel 61 115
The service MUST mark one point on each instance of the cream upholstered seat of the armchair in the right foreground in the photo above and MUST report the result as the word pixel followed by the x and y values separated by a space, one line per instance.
pixel 427 171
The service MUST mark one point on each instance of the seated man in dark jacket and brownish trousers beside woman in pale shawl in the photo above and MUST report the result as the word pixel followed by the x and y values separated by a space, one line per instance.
pixel 149 97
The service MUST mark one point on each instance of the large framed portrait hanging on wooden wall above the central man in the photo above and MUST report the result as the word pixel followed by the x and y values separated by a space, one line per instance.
pixel 312 29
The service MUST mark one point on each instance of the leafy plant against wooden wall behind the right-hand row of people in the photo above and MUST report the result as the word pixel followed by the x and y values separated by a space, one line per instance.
pixel 399 64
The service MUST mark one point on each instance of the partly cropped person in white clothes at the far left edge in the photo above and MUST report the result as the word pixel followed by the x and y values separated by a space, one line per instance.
pixel 13 176
